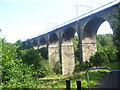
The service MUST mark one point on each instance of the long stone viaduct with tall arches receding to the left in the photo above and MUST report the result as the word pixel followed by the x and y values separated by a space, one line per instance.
pixel 60 40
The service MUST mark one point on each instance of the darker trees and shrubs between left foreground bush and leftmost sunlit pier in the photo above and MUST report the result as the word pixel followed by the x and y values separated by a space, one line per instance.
pixel 34 57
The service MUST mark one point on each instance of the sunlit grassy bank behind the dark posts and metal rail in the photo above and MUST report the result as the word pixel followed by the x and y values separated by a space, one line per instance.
pixel 59 81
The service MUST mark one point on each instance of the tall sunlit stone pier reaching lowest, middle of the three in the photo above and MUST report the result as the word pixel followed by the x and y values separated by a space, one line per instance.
pixel 68 60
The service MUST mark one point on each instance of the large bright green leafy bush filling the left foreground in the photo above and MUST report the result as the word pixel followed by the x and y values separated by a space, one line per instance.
pixel 15 74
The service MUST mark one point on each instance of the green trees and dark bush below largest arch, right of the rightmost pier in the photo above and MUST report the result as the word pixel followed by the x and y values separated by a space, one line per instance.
pixel 106 53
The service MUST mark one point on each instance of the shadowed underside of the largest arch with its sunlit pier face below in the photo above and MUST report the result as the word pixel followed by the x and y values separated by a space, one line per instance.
pixel 89 46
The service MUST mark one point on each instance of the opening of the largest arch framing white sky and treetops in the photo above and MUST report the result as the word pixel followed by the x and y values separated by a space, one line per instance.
pixel 104 36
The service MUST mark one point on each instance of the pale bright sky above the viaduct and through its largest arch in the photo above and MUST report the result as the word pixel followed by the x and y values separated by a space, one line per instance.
pixel 23 19
